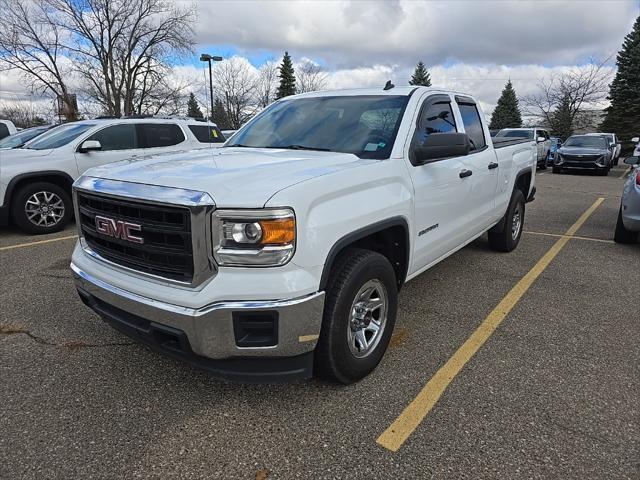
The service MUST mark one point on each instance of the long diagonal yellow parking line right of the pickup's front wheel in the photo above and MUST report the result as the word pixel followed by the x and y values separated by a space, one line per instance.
pixel 403 426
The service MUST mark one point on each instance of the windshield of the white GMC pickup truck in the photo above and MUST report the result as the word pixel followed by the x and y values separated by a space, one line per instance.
pixel 363 125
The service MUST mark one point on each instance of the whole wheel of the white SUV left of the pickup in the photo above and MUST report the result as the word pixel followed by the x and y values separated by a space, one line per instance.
pixel 41 207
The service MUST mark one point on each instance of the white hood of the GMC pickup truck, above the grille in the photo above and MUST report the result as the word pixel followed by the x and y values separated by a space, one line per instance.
pixel 233 176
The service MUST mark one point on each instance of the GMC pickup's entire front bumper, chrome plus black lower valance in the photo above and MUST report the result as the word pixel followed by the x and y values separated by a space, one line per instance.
pixel 208 337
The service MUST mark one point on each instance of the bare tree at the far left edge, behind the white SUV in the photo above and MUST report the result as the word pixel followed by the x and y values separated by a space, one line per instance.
pixel 31 42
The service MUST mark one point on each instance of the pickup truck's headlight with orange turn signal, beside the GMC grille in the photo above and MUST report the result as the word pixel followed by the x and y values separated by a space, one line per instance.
pixel 264 237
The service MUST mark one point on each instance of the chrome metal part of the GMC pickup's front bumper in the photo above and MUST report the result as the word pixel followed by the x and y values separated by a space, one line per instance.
pixel 210 330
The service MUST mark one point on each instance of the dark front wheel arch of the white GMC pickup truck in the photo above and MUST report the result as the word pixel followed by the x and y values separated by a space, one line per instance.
pixel 389 237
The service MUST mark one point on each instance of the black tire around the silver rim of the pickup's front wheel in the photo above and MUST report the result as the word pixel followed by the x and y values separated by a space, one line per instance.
pixel 334 360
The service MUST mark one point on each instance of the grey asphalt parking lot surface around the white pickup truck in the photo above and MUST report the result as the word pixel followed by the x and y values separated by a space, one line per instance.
pixel 553 393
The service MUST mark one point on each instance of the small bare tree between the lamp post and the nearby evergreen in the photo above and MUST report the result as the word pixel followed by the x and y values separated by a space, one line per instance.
pixel 235 82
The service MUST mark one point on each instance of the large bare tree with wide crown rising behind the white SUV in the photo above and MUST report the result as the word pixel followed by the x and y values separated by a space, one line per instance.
pixel 120 46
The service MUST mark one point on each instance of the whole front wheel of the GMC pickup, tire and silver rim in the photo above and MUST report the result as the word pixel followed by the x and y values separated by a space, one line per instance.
pixel 359 316
